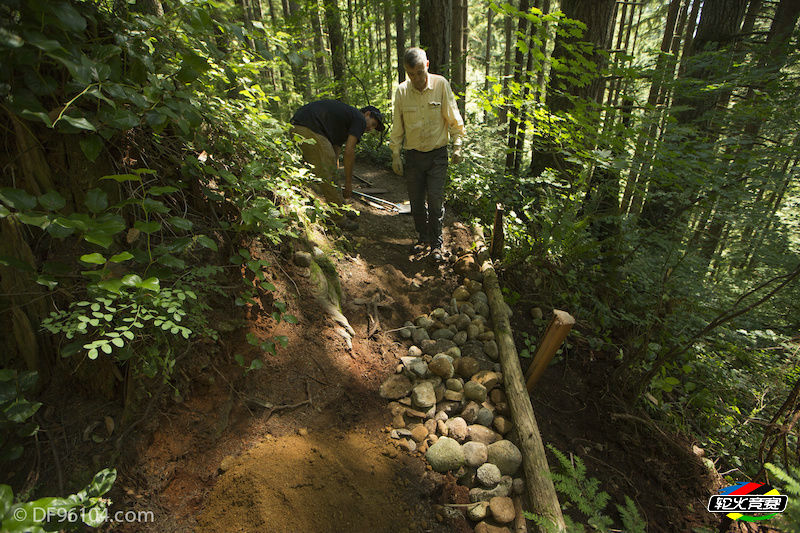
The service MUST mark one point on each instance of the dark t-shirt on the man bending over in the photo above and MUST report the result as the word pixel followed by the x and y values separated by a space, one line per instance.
pixel 333 119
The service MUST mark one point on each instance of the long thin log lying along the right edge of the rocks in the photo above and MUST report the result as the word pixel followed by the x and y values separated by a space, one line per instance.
pixel 539 485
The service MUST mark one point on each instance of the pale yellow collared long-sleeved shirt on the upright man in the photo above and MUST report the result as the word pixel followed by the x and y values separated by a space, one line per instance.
pixel 425 120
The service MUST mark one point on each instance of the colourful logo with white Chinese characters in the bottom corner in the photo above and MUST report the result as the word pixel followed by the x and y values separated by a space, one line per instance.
pixel 740 501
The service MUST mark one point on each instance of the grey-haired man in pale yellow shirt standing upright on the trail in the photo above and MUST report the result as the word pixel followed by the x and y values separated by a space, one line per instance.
pixel 425 119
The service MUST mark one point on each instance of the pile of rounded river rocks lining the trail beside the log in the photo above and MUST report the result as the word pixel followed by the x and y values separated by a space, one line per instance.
pixel 449 404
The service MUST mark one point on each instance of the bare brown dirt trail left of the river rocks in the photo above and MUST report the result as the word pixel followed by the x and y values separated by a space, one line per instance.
pixel 219 462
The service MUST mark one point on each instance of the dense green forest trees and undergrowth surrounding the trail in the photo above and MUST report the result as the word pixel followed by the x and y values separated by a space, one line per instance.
pixel 645 154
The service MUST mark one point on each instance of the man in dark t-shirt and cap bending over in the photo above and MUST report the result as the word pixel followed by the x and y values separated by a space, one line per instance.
pixel 331 124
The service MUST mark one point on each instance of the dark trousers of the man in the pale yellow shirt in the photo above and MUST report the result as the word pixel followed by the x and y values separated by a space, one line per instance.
pixel 425 174
